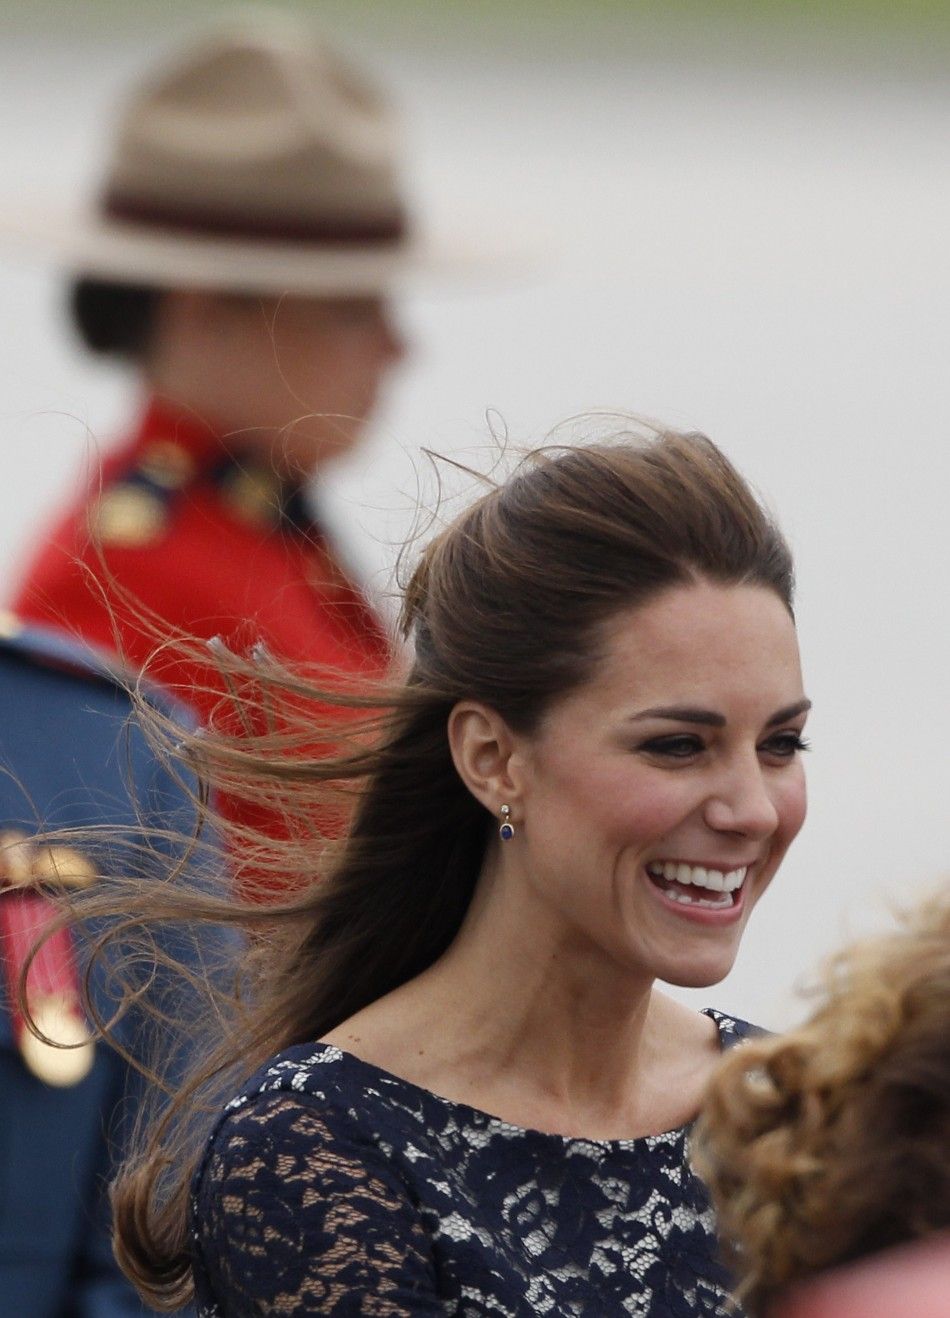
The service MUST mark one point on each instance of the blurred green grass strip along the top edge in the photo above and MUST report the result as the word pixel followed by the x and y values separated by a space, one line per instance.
pixel 833 28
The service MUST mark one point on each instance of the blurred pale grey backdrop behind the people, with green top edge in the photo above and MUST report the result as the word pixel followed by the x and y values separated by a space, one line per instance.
pixel 742 227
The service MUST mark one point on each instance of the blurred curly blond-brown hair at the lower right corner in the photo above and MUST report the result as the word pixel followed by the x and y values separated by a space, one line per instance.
pixel 833 1142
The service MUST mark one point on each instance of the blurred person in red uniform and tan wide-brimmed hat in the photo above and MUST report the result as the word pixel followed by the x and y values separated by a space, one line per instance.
pixel 250 231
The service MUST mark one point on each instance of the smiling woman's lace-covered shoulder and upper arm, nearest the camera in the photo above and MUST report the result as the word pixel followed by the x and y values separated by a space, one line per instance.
pixel 298 1197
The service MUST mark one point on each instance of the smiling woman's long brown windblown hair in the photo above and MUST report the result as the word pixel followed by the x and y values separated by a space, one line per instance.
pixel 505 607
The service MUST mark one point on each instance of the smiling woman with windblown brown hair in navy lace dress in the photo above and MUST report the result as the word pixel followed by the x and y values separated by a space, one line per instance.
pixel 459 1089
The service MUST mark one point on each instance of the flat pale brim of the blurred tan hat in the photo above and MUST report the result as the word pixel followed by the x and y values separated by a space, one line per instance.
pixel 88 244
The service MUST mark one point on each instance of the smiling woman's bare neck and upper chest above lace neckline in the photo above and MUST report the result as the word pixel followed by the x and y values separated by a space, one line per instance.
pixel 522 1022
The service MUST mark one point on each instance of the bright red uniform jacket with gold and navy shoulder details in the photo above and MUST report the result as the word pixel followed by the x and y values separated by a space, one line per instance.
pixel 209 542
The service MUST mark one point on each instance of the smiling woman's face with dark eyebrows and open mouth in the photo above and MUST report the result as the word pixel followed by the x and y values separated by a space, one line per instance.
pixel 658 801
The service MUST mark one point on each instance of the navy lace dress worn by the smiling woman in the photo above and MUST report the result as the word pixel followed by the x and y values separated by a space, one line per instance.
pixel 330 1187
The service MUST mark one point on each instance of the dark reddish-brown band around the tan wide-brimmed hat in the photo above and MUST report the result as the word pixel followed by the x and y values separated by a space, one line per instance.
pixel 383 231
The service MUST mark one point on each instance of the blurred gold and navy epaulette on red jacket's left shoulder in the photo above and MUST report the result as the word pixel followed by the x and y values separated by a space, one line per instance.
pixel 134 509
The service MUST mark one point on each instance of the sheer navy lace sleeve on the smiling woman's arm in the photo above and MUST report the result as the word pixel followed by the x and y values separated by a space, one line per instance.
pixel 298 1216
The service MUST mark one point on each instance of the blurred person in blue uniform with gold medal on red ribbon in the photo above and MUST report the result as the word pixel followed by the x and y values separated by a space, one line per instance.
pixel 72 760
